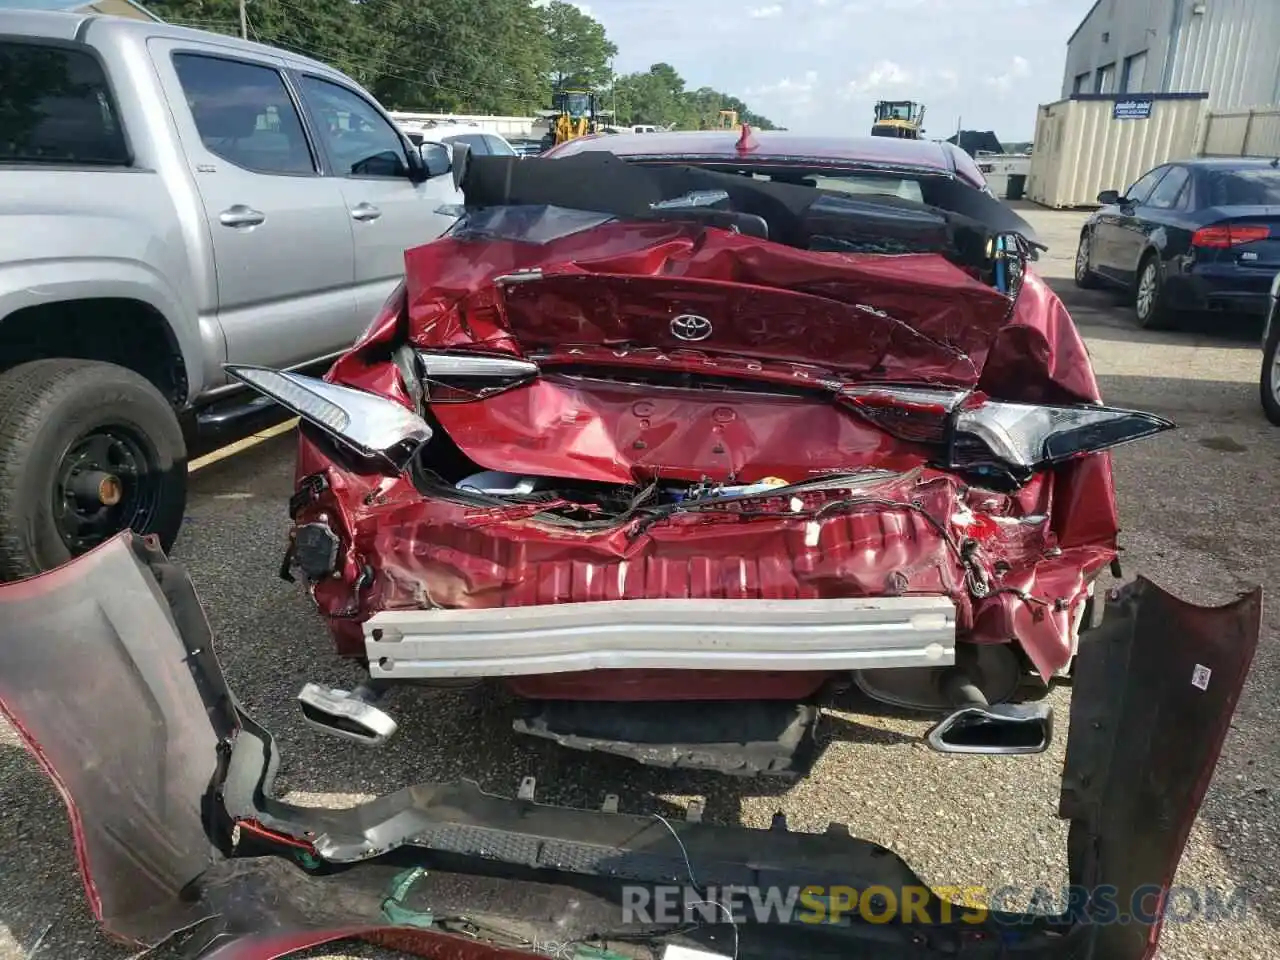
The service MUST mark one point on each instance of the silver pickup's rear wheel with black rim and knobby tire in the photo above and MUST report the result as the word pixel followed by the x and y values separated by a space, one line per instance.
pixel 88 450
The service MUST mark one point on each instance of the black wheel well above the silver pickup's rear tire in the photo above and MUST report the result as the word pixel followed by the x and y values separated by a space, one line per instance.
pixel 112 330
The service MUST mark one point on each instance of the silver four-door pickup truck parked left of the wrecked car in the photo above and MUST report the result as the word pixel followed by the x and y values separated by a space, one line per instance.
pixel 171 202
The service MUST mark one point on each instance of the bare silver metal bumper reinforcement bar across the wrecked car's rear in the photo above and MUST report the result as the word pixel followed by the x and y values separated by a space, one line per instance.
pixel 675 634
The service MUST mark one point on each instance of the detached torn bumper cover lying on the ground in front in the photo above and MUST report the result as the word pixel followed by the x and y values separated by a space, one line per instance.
pixel 168 787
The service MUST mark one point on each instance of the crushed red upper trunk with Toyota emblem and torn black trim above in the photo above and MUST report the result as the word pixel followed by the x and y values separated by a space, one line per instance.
pixel 592 252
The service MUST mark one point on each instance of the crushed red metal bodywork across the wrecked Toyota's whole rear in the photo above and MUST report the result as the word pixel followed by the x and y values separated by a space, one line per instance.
pixel 793 328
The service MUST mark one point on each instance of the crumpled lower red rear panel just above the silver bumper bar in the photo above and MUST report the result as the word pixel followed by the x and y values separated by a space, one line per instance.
pixel 904 538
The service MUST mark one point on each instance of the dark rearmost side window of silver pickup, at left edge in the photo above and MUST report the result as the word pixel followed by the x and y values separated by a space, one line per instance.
pixel 56 108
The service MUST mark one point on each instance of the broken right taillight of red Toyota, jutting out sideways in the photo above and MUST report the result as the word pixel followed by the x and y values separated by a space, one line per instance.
pixel 980 436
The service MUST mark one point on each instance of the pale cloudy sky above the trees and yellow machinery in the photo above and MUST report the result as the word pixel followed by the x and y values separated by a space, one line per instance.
pixel 820 66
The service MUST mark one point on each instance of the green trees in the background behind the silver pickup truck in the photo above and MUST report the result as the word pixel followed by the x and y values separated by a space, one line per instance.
pixel 499 57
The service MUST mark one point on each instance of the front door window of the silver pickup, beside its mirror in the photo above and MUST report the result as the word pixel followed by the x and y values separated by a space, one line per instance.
pixel 360 141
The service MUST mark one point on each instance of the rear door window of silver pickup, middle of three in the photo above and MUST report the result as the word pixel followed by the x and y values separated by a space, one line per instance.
pixel 245 115
